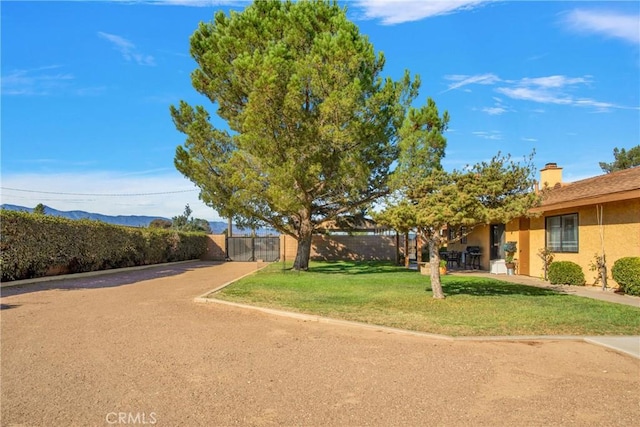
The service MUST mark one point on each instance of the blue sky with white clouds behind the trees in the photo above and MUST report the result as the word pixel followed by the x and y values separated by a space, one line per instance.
pixel 86 89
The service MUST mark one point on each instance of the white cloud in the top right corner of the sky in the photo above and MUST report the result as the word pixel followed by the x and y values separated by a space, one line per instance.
pixel 609 24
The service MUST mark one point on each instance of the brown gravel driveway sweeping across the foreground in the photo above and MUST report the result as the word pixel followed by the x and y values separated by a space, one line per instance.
pixel 133 348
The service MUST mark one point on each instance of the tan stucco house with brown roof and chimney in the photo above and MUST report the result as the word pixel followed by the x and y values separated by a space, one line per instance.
pixel 575 221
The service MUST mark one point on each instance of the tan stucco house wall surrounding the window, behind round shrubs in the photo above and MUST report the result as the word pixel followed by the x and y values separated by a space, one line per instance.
pixel 621 233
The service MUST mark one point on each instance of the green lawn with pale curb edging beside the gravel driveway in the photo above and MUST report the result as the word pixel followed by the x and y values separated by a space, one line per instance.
pixel 383 294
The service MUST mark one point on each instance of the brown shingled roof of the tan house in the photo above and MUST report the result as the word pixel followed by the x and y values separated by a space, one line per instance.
pixel 615 186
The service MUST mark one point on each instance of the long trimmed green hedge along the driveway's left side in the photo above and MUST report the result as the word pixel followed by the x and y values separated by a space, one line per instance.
pixel 31 245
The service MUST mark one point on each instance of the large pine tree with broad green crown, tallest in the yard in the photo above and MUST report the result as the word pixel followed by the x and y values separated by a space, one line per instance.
pixel 311 124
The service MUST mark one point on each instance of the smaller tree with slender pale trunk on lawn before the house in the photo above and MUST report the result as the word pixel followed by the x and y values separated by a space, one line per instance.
pixel 495 191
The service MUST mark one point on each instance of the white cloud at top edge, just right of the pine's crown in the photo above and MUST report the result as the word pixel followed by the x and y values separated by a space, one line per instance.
pixel 392 12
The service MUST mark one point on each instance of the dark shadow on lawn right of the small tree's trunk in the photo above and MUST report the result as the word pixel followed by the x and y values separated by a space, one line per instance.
pixel 489 287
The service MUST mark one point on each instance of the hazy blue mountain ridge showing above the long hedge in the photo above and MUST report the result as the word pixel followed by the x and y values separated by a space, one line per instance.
pixel 217 227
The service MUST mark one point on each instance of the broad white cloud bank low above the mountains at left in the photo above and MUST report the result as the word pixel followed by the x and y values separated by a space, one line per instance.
pixel 110 193
